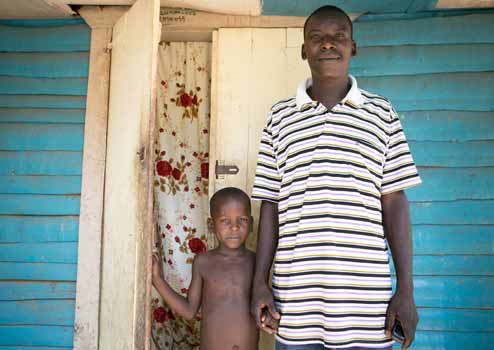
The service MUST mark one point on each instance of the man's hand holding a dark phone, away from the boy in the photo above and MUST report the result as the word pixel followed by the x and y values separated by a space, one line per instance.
pixel 402 307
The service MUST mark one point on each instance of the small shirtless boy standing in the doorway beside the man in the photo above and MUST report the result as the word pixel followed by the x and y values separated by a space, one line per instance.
pixel 221 278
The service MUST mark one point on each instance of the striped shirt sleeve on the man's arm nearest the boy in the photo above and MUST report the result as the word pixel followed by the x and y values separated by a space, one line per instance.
pixel 267 181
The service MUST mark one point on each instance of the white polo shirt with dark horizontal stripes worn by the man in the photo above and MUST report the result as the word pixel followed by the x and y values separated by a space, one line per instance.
pixel 326 170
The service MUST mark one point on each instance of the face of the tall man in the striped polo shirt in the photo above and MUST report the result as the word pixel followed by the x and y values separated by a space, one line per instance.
pixel 328 45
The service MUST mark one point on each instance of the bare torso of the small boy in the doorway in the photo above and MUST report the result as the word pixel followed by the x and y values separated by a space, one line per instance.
pixel 226 321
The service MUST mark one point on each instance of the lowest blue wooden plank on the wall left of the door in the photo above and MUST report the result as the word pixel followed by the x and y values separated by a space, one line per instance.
pixel 36 335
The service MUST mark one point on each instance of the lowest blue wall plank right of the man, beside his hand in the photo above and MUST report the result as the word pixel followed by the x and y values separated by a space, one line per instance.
pixel 439 340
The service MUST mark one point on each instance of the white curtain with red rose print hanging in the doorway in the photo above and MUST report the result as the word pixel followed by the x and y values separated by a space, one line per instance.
pixel 181 179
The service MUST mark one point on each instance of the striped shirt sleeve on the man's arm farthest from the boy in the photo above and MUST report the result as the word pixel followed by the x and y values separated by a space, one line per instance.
pixel 399 171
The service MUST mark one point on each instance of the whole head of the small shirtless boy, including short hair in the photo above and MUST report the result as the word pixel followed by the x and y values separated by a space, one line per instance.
pixel 231 219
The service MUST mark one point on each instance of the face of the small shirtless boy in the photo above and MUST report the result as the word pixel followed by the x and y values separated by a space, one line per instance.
pixel 231 223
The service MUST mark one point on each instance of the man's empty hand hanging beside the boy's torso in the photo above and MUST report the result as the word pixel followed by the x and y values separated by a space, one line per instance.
pixel 262 308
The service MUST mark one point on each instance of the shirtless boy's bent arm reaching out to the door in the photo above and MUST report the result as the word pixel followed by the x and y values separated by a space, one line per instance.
pixel 185 307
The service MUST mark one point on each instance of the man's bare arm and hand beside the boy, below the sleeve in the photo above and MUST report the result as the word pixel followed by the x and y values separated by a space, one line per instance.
pixel 267 241
